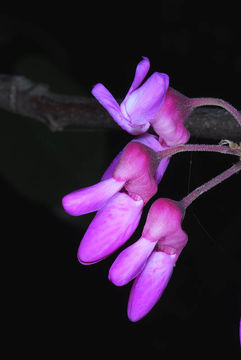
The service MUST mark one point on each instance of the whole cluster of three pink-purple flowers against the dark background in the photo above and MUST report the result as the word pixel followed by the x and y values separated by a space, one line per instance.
pixel 129 183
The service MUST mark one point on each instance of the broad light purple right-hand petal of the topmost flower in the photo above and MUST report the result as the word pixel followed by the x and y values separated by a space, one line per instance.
pixel 143 104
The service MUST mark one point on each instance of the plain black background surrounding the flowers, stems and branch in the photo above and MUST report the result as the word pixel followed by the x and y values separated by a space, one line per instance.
pixel 53 305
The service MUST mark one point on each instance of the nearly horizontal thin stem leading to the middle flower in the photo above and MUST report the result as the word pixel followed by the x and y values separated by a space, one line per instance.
pixel 194 147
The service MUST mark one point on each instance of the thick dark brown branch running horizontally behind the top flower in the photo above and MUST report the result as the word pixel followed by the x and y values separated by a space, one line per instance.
pixel 21 96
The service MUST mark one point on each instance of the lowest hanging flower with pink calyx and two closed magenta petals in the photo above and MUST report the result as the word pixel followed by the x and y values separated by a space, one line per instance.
pixel 151 259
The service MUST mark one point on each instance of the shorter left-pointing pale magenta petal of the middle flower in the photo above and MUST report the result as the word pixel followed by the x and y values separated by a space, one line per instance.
pixel 91 198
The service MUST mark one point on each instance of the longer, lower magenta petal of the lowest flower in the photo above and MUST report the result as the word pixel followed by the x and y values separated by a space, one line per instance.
pixel 149 285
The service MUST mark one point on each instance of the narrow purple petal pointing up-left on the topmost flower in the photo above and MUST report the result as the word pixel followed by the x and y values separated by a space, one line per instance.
pixel 110 104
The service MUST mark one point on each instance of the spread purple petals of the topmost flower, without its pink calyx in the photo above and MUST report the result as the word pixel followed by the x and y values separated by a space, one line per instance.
pixel 141 103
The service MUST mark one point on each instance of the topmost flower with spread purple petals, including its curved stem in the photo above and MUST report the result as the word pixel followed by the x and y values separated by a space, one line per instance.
pixel 155 104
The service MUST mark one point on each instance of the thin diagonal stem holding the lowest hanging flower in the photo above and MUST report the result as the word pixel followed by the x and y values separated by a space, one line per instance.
pixel 187 200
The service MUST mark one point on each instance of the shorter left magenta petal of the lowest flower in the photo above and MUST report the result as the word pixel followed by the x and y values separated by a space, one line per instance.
pixel 130 262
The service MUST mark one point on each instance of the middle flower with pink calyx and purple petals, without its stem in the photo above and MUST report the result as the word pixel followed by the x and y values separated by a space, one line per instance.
pixel 127 185
